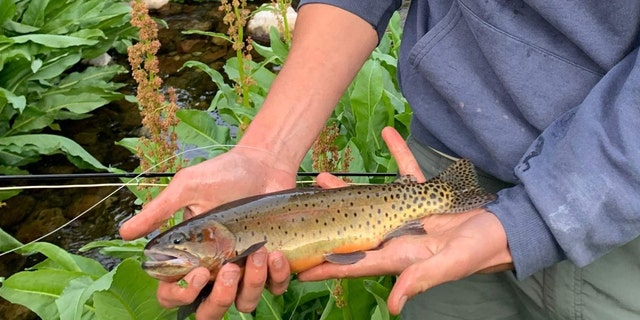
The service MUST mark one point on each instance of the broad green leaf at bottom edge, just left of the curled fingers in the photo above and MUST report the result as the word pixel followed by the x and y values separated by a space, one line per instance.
pixel 132 296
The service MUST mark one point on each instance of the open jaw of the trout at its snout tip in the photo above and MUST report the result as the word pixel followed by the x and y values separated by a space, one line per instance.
pixel 169 264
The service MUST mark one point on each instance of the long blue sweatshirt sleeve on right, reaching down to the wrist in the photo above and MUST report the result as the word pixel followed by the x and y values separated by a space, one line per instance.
pixel 578 193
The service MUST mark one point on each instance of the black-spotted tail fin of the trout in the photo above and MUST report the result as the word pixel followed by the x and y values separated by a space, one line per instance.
pixel 462 177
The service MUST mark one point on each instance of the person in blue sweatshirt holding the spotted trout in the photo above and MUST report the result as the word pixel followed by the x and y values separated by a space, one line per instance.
pixel 543 96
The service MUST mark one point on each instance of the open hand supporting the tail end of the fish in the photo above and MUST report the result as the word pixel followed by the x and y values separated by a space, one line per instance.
pixel 455 245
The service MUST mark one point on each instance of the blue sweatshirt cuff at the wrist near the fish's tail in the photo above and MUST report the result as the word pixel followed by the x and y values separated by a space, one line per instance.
pixel 531 243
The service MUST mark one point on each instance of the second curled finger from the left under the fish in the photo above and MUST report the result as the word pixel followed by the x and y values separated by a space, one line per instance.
pixel 223 294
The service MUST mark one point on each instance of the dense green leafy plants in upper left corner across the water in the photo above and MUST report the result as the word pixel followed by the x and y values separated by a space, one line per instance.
pixel 41 81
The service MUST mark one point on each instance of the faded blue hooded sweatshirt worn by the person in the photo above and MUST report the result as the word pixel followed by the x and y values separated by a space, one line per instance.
pixel 541 93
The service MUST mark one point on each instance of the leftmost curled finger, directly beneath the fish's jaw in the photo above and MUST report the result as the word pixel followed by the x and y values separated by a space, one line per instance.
pixel 171 295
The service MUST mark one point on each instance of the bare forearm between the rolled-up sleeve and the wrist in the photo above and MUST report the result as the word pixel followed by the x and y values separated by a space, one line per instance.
pixel 329 47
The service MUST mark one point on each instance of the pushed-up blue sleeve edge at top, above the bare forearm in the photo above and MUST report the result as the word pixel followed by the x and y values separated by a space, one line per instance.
pixel 376 13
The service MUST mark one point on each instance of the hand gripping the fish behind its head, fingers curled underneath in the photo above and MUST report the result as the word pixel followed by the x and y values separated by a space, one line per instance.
pixel 241 172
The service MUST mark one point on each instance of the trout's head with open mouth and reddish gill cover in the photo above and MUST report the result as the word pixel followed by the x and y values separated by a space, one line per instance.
pixel 177 251
